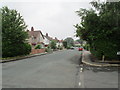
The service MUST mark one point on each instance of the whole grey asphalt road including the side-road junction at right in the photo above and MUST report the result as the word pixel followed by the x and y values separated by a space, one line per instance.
pixel 60 69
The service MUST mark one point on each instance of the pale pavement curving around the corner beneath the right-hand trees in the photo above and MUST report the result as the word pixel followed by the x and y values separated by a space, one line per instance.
pixel 86 60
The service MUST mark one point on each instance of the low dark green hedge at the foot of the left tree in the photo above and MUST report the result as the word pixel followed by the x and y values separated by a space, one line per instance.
pixel 16 50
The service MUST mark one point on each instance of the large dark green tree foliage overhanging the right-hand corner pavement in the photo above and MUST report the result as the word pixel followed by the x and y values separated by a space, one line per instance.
pixel 101 29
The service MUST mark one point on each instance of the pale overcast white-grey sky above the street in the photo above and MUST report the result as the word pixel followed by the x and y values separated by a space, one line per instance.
pixel 55 17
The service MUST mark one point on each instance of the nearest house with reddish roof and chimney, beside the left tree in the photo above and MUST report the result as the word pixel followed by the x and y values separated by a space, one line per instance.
pixel 35 37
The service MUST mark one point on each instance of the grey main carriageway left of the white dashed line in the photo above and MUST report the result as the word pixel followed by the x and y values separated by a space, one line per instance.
pixel 56 70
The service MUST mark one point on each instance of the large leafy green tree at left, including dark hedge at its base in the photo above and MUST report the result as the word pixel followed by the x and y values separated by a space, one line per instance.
pixel 13 34
